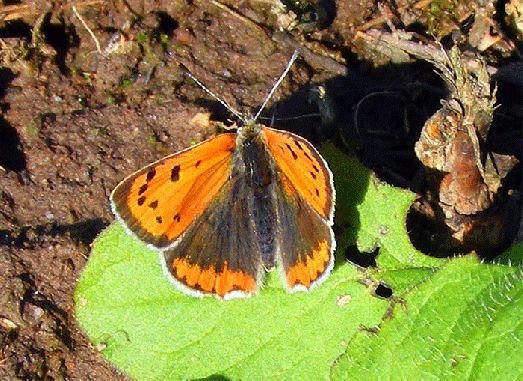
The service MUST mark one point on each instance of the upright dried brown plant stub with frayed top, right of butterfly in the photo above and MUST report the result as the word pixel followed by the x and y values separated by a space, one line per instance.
pixel 464 179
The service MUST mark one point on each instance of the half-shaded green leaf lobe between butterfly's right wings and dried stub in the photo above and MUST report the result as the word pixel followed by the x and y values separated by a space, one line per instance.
pixel 376 213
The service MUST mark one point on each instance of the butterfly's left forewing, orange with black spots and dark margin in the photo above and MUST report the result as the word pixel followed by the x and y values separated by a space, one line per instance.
pixel 159 202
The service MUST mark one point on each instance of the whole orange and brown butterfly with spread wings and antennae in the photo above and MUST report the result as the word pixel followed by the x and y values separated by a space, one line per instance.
pixel 225 211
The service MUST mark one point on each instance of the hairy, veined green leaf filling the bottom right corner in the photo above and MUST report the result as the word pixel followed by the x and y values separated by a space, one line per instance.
pixel 461 323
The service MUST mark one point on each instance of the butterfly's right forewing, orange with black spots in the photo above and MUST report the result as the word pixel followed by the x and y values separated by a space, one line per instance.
pixel 306 170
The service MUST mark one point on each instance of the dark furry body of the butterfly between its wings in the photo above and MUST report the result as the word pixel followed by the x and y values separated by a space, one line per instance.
pixel 257 167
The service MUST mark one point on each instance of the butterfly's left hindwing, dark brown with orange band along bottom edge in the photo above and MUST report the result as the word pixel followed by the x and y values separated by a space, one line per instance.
pixel 218 253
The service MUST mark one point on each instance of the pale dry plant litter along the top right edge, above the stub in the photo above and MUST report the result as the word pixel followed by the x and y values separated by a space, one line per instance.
pixel 471 24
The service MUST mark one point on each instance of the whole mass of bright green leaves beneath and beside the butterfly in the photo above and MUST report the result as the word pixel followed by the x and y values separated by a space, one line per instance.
pixel 449 318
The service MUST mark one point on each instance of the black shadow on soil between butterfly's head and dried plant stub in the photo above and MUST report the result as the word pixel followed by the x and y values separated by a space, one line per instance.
pixel 376 117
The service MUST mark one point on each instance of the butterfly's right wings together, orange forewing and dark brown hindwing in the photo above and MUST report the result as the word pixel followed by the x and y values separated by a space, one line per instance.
pixel 305 208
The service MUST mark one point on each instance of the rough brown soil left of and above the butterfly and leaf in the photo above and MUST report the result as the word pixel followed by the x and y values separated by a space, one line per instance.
pixel 76 120
